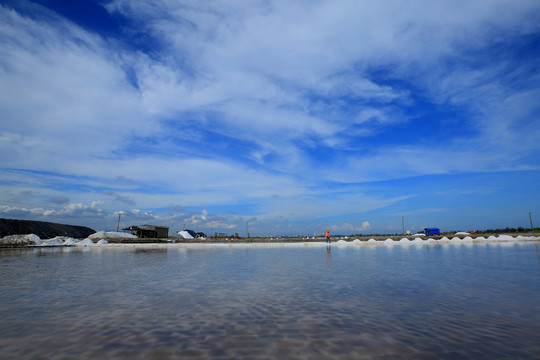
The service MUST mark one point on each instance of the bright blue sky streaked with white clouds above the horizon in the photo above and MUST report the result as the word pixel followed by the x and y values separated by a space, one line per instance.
pixel 291 116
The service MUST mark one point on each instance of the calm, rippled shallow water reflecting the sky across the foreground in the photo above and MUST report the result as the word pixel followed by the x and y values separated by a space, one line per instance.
pixel 439 301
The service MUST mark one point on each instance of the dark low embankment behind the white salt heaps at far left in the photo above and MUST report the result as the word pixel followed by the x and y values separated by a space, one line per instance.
pixel 45 230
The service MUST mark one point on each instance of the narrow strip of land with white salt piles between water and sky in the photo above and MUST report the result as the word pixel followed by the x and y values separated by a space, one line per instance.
pixel 25 233
